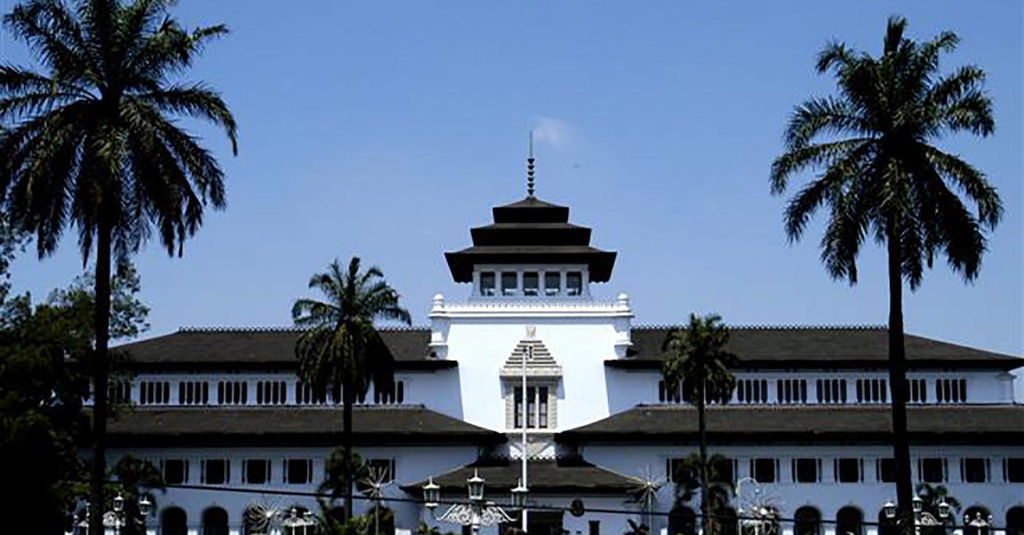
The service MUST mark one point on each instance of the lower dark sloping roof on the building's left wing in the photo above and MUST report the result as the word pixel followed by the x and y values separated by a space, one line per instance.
pixel 290 426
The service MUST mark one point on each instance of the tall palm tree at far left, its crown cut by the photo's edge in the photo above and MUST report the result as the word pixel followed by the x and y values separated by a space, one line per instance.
pixel 92 143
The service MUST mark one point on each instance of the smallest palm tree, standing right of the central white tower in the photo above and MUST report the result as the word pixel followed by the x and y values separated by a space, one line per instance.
pixel 700 364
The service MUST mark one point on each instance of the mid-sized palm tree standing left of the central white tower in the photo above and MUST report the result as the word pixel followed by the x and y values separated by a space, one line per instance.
pixel 340 349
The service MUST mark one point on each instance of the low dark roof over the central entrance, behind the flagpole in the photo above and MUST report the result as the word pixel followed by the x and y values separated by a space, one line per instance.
pixel 552 477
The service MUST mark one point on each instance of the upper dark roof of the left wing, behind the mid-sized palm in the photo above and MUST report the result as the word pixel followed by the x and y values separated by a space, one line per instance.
pixel 248 349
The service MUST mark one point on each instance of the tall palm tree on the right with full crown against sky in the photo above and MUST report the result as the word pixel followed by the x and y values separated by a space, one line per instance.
pixel 882 176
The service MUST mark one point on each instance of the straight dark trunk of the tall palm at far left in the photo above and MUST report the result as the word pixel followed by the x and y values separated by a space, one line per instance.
pixel 100 378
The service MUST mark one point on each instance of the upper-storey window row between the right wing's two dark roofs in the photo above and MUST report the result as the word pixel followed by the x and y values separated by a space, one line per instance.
pixel 831 391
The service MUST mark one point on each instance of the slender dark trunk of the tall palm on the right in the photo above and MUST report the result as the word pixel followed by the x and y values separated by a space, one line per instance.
pixel 898 382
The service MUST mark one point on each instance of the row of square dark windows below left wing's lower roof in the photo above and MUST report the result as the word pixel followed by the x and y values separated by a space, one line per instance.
pixel 260 472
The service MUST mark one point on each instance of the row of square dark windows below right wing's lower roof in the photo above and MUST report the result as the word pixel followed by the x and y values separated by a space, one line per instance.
pixel 851 470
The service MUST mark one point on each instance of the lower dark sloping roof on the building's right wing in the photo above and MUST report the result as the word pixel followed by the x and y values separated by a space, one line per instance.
pixel 765 425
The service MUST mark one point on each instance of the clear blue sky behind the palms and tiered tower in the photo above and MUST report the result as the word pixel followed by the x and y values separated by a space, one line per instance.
pixel 388 130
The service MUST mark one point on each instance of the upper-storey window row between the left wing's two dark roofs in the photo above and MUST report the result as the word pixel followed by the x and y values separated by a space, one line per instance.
pixel 237 393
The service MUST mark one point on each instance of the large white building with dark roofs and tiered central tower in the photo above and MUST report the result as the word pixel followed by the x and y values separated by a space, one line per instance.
pixel 222 411
